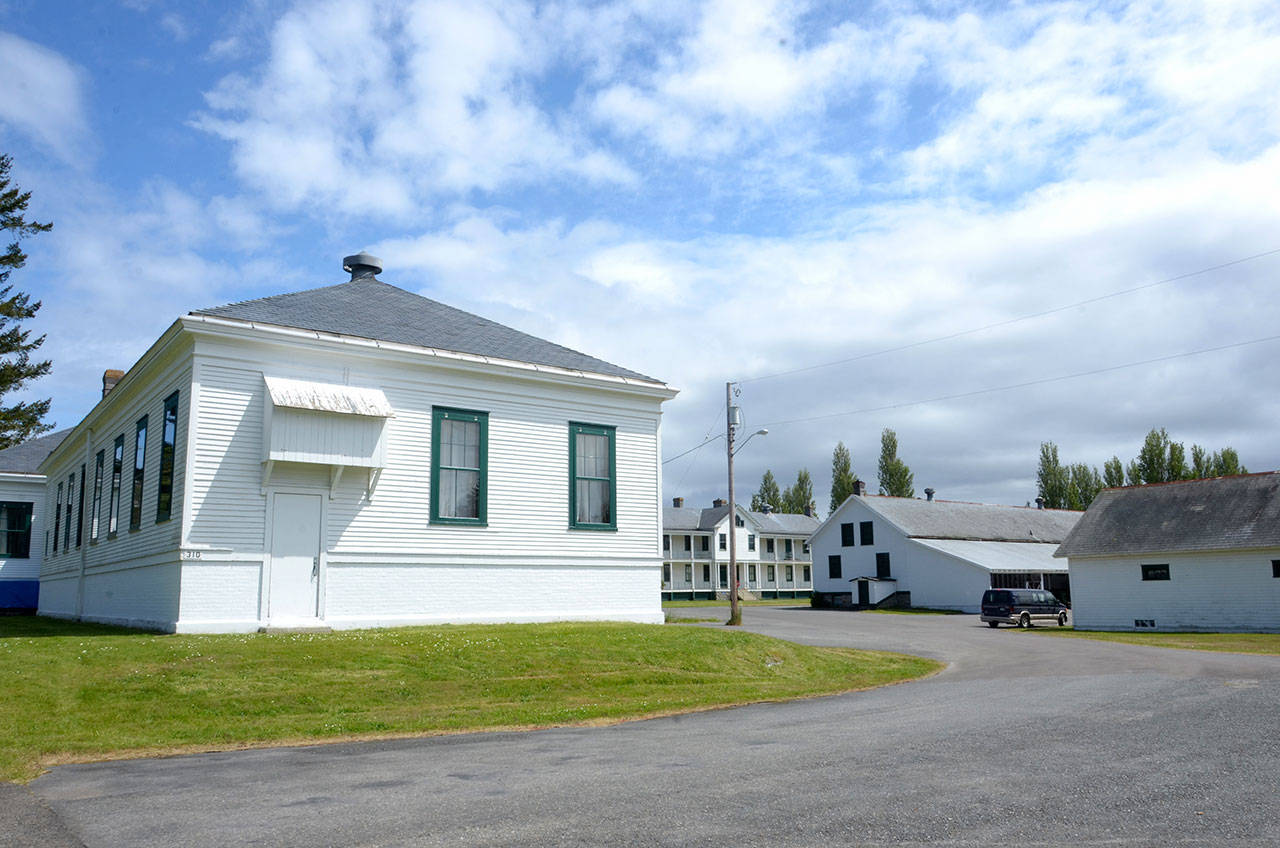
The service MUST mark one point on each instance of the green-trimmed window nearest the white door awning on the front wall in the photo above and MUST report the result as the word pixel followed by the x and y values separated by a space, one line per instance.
pixel 460 459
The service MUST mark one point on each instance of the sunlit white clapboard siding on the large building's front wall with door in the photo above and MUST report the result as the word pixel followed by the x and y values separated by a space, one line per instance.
pixel 528 463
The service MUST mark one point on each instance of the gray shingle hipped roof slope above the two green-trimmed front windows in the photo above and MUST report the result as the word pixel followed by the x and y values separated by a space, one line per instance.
pixel 371 309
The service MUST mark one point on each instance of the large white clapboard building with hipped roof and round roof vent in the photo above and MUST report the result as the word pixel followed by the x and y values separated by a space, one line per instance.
pixel 353 457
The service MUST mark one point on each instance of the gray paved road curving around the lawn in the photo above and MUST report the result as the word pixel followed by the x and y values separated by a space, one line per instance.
pixel 1025 740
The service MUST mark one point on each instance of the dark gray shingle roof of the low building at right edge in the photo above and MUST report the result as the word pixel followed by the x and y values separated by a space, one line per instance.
pixel 1222 513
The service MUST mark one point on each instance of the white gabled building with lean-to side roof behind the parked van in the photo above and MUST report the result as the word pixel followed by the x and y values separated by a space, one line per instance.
pixel 892 551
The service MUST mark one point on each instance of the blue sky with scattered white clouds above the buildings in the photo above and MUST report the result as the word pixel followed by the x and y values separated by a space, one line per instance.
pixel 701 193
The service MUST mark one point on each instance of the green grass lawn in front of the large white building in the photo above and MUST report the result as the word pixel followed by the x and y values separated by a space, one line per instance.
pixel 85 692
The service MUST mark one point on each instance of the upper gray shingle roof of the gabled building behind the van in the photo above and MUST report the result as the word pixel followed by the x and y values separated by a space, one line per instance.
pixel 980 522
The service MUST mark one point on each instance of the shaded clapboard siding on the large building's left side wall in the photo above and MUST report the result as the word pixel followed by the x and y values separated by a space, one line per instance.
pixel 80 450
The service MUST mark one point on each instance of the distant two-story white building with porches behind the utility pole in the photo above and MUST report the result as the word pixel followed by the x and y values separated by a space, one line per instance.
pixel 772 553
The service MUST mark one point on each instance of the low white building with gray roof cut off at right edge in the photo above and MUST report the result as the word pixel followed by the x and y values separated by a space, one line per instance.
pixel 1197 555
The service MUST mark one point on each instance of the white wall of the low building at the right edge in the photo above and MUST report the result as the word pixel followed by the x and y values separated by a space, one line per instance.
pixel 1222 591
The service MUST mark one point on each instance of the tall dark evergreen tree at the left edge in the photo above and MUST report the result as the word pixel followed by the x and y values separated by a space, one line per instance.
pixel 24 421
